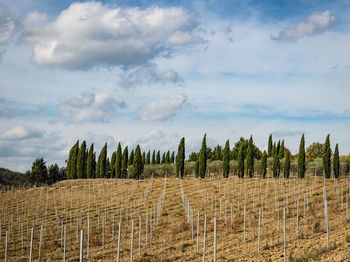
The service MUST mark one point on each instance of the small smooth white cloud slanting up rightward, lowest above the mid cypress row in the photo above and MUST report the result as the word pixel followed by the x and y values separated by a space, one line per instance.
pixel 162 109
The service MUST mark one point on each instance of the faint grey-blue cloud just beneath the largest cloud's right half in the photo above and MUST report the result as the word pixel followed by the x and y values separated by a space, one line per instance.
pixel 149 75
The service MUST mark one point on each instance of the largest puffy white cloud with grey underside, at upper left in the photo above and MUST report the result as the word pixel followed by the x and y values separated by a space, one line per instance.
pixel 91 34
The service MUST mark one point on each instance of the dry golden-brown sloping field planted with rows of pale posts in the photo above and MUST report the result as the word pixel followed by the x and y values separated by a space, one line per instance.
pixel 103 203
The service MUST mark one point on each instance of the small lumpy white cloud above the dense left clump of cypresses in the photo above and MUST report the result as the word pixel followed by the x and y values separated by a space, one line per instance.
pixel 90 107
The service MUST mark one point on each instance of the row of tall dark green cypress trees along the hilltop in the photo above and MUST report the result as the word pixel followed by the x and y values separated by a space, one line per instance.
pixel 81 162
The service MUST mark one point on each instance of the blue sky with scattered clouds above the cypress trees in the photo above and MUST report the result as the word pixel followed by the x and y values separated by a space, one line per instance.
pixel 151 72
